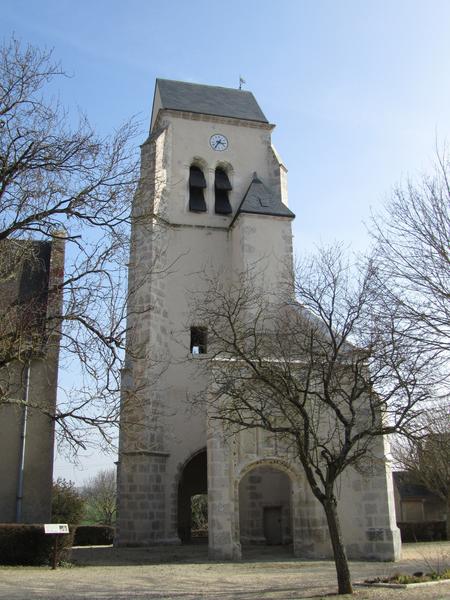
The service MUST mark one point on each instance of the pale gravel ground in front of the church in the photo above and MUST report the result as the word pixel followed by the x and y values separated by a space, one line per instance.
pixel 184 572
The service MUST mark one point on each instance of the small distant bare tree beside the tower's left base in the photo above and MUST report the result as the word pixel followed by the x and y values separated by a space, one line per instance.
pixel 100 494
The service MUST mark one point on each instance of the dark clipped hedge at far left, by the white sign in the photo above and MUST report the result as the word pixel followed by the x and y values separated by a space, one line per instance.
pixel 23 544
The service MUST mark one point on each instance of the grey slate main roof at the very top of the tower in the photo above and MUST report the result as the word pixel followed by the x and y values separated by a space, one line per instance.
pixel 209 100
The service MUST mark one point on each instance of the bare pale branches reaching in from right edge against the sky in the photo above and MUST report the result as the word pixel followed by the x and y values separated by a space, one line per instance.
pixel 413 252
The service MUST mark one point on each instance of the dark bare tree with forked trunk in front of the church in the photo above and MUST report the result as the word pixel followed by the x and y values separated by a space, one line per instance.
pixel 328 375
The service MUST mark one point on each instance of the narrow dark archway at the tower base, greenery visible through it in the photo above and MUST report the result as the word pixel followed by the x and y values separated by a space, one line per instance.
pixel 192 489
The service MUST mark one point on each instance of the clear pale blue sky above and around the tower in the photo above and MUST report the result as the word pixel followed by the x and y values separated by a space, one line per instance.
pixel 359 90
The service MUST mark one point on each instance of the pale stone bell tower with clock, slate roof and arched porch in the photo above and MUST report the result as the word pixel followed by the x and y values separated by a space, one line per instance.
pixel 212 198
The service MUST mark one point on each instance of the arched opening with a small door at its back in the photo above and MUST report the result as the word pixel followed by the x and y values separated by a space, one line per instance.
pixel 265 507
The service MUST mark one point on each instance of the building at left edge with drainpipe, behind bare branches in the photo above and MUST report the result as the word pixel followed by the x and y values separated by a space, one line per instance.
pixel 30 310
